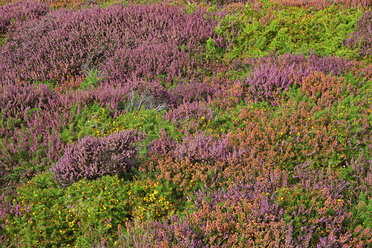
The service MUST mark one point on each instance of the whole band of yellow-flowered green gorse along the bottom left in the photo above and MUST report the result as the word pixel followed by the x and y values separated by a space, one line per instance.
pixel 86 211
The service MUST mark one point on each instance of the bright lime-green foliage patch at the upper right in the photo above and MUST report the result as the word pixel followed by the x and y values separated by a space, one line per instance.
pixel 258 33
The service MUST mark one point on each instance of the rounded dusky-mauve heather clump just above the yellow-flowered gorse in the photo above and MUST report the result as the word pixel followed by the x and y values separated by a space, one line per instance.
pixel 92 157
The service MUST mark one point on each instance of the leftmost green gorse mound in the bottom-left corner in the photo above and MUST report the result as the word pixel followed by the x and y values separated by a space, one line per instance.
pixel 48 222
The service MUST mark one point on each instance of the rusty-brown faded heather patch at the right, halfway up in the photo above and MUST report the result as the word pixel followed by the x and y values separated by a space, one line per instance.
pixel 296 133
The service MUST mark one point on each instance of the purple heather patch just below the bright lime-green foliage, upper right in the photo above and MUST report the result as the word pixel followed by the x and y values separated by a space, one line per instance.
pixel 273 74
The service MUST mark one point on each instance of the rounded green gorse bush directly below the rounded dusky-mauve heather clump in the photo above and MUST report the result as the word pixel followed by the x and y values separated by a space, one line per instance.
pixel 99 206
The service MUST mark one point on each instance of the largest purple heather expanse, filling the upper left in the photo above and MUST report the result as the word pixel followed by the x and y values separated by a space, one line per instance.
pixel 101 40
